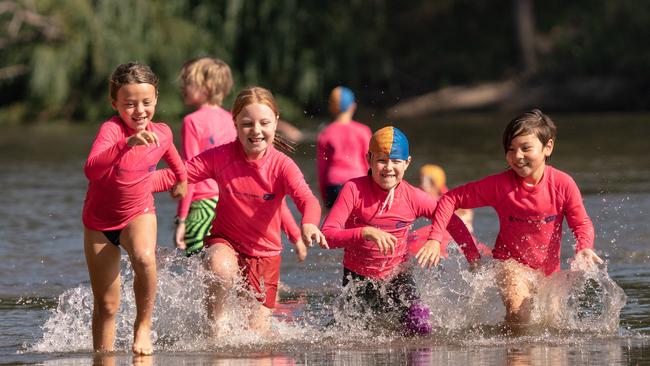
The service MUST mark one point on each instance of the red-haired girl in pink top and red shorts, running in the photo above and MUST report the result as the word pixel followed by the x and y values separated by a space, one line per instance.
pixel 253 179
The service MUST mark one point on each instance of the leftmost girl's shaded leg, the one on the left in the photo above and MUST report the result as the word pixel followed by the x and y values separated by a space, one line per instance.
pixel 103 260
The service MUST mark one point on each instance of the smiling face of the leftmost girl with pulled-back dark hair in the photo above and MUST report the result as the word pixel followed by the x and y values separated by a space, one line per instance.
pixel 136 104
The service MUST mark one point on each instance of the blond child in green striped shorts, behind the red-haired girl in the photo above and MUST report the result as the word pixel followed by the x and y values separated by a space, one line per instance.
pixel 205 82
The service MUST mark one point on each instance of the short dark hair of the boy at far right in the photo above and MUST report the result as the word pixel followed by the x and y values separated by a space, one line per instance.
pixel 530 122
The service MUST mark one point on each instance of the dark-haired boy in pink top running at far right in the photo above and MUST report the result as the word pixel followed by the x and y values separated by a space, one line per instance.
pixel 531 200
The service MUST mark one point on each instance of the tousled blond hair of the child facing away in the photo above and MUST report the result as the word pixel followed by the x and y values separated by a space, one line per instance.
pixel 211 75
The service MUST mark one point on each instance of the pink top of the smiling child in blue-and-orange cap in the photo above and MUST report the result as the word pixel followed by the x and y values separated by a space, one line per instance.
pixel 358 205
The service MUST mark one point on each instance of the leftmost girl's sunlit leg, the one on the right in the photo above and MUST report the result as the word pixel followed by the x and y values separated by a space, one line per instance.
pixel 139 240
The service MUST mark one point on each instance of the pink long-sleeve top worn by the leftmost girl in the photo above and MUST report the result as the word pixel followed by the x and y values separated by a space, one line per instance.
pixel 119 176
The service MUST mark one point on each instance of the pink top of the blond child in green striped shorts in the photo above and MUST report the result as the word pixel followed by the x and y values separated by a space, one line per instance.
pixel 204 129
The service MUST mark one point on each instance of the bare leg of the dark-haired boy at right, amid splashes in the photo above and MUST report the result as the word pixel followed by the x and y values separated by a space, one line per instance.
pixel 516 294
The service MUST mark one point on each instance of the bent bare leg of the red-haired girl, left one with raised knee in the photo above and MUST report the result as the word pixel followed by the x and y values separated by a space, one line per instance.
pixel 221 260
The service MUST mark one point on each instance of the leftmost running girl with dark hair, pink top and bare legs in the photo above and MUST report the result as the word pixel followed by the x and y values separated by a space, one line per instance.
pixel 119 207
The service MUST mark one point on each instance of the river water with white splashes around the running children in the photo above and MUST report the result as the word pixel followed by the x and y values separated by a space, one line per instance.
pixel 45 301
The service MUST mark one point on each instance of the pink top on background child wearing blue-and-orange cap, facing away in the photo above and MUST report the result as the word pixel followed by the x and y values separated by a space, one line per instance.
pixel 341 153
